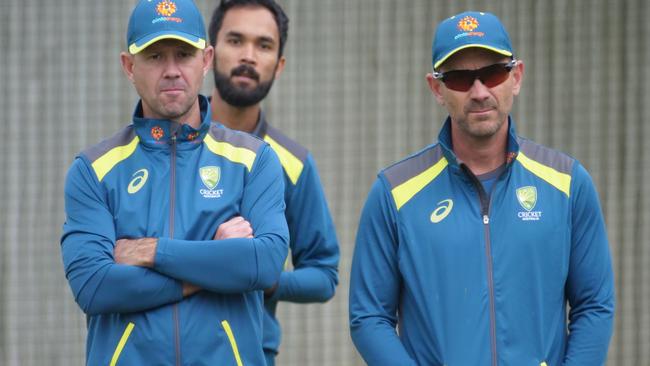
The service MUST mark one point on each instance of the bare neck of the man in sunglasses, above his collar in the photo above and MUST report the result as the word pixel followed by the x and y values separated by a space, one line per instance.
pixel 481 155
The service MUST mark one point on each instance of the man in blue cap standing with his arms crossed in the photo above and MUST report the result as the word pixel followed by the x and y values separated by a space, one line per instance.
pixel 175 224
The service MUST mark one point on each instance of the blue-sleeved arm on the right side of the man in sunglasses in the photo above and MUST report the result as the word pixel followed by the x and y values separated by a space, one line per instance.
pixel 590 282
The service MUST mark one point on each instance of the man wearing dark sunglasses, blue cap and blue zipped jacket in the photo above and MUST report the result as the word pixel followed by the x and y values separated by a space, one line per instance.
pixel 470 251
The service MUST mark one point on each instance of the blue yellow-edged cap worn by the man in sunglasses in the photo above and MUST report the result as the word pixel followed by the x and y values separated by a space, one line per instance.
pixel 469 29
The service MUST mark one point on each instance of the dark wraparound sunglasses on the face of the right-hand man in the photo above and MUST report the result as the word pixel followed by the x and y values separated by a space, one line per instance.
pixel 490 76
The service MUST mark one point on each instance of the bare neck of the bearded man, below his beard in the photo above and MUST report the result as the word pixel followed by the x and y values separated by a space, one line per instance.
pixel 236 118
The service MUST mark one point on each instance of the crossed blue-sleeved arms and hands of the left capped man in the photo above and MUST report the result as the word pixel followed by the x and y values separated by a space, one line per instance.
pixel 101 271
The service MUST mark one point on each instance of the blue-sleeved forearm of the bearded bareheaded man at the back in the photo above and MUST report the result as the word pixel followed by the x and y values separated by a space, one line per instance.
pixel 304 285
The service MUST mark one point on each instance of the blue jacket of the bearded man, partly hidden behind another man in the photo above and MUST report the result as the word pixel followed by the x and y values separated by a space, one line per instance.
pixel 313 245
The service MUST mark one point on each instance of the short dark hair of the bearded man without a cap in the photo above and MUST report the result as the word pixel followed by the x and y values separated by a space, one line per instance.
pixel 219 13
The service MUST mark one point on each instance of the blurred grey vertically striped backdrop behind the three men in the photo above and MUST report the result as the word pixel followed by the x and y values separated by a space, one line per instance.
pixel 354 93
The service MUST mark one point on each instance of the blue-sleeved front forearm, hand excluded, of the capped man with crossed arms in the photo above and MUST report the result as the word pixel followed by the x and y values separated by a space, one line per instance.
pixel 224 266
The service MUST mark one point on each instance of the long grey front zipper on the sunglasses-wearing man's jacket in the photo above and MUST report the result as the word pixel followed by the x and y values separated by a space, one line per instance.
pixel 485 203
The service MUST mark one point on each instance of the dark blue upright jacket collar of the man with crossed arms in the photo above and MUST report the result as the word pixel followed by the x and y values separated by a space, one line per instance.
pixel 161 131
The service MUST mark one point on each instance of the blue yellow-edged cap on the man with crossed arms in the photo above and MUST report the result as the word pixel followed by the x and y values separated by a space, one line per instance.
pixel 153 20
